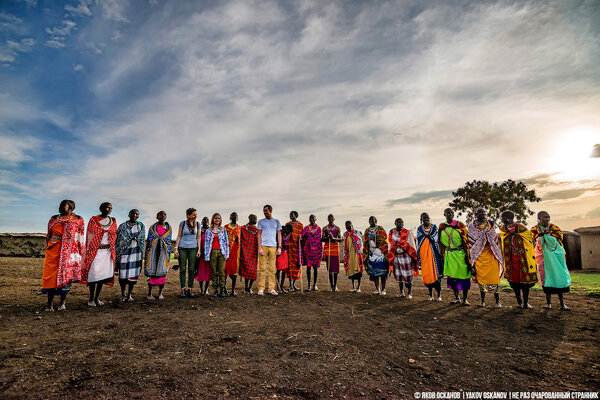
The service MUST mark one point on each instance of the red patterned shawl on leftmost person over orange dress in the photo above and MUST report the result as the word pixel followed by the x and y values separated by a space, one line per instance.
pixel 71 248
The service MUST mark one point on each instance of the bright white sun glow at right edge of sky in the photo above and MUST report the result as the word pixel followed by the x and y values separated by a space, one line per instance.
pixel 572 156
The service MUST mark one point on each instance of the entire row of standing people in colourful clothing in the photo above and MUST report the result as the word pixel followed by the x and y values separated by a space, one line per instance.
pixel 210 252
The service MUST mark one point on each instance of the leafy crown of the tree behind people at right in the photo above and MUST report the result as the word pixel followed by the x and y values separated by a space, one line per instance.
pixel 494 198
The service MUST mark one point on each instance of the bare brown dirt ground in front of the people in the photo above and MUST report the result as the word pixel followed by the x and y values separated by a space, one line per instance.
pixel 313 345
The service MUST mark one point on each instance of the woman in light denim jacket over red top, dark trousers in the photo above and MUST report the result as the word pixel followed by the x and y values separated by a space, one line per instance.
pixel 216 250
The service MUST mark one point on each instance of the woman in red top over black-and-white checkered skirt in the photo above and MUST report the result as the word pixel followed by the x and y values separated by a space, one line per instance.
pixel 402 257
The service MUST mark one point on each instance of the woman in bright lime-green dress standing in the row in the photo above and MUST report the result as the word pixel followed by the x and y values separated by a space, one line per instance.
pixel 454 250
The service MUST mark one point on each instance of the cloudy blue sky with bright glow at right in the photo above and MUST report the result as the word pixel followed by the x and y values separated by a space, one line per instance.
pixel 347 107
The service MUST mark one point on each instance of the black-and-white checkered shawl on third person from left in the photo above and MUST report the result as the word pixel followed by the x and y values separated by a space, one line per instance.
pixel 132 246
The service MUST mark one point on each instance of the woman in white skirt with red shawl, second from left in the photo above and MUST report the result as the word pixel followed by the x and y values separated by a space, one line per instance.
pixel 100 254
